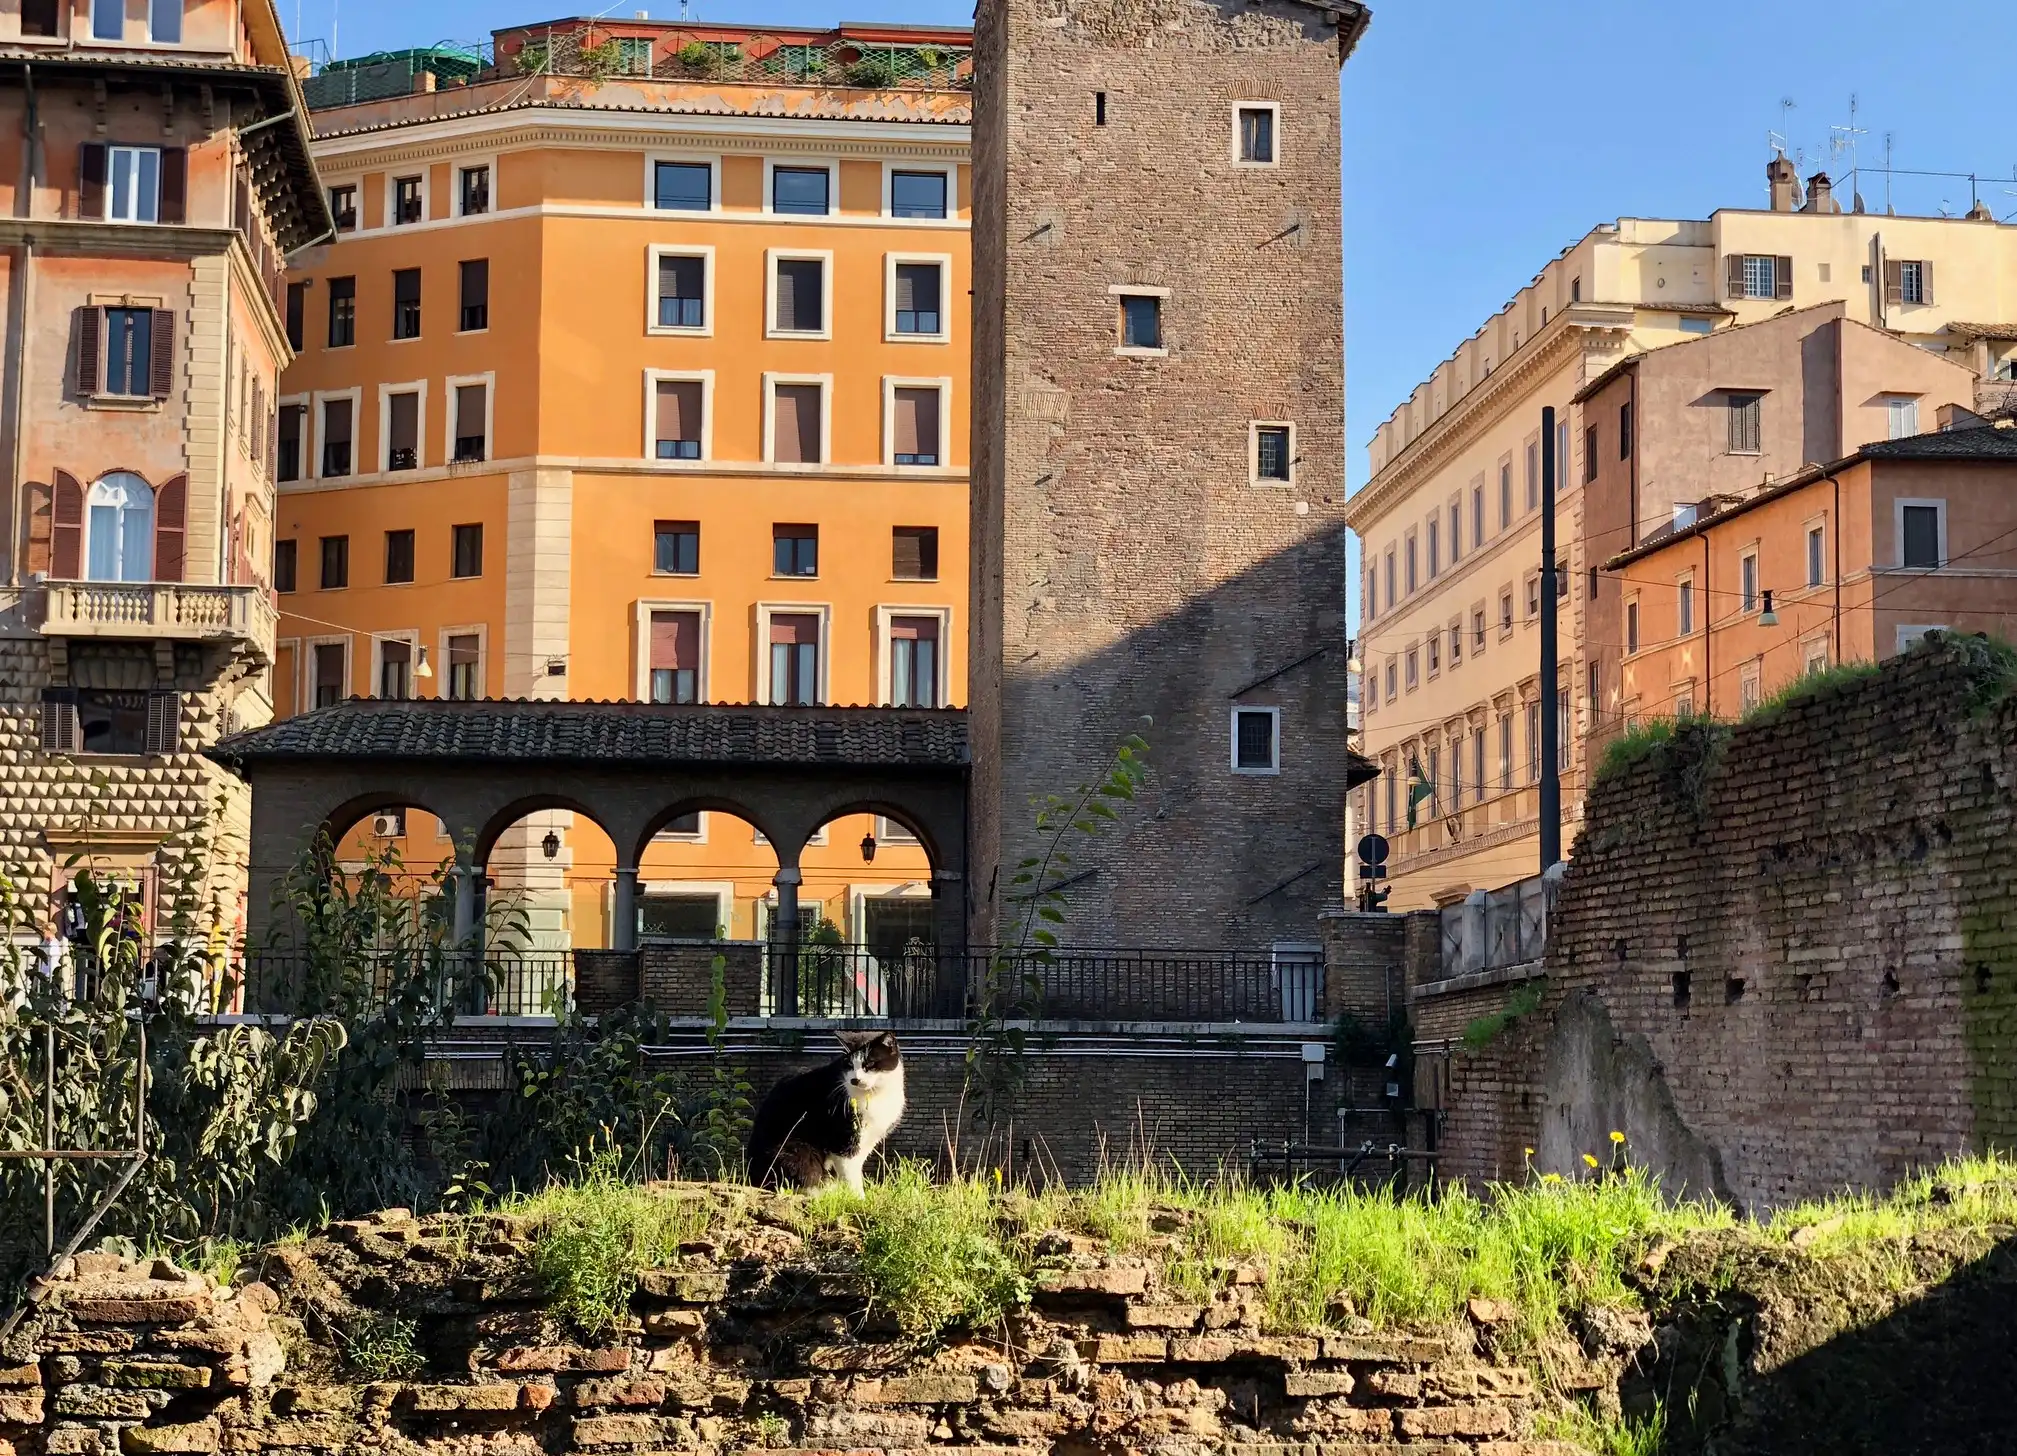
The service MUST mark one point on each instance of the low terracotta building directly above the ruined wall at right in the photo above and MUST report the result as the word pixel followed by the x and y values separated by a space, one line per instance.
pixel 1857 560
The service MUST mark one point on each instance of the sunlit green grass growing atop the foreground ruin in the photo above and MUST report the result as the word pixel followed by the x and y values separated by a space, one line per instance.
pixel 961 1253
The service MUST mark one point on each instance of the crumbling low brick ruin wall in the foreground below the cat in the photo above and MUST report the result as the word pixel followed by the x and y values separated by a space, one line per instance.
pixel 753 1342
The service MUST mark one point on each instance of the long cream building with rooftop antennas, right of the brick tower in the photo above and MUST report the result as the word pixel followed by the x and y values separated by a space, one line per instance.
pixel 1449 521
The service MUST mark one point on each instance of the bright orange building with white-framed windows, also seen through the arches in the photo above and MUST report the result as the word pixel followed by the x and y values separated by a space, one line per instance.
pixel 636 370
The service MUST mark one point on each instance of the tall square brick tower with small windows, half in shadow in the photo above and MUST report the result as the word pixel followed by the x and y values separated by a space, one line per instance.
pixel 1159 457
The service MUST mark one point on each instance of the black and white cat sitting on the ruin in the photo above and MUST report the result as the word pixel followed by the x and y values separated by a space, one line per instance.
pixel 822 1126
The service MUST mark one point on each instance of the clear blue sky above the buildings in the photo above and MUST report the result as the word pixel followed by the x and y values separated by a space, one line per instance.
pixel 1486 136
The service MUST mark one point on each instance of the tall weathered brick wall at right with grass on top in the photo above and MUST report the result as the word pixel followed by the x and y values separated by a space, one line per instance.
pixel 1780 973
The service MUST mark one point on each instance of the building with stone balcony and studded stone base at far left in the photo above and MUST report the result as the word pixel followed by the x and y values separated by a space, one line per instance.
pixel 154 172
